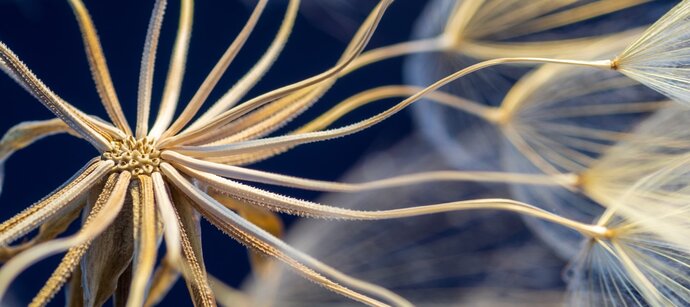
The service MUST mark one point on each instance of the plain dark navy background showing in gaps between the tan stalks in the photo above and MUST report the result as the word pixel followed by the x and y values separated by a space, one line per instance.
pixel 46 37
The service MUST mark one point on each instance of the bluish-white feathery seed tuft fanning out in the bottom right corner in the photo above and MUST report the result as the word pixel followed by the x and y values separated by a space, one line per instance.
pixel 633 266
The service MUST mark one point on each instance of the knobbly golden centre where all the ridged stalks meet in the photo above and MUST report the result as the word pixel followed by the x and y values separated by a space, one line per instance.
pixel 140 157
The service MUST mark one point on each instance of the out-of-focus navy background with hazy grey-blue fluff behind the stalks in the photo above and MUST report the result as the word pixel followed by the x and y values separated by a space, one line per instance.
pixel 480 258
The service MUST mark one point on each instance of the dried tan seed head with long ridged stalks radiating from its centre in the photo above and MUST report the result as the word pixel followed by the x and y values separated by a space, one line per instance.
pixel 152 183
